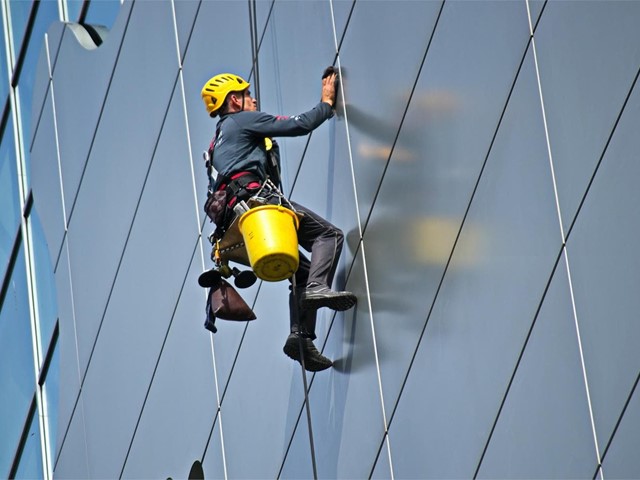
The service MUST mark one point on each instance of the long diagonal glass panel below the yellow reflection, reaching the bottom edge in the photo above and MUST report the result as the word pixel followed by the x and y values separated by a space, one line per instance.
pixel 486 303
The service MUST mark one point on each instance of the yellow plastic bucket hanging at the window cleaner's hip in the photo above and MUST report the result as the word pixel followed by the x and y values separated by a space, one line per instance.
pixel 270 236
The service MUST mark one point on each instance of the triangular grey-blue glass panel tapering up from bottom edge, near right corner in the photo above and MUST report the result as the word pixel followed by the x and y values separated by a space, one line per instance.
pixel 534 424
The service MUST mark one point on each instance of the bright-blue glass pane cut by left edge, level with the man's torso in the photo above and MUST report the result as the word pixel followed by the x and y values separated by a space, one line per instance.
pixel 10 211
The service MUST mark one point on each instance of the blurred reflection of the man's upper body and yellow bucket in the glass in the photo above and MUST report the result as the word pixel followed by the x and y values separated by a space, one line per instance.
pixel 415 218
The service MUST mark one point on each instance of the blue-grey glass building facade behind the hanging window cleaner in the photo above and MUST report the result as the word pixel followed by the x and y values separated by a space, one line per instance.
pixel 482 164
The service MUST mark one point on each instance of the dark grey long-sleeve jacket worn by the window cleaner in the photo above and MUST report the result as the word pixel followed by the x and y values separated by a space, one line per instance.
pixel 240 147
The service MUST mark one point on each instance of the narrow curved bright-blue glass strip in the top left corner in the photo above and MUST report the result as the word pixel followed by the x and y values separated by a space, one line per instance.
pixel 47 14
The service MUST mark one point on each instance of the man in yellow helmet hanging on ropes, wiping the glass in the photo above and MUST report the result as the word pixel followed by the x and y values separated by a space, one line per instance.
pixel 244 155
